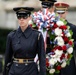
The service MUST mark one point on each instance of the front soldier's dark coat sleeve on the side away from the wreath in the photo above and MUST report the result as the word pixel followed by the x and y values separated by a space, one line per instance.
pixel 8 53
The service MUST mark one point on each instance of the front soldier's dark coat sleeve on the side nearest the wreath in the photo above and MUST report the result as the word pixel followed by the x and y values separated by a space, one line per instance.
pixel 41 55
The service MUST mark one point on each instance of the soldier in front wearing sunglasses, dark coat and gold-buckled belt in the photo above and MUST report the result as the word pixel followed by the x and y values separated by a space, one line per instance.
pixel 22 47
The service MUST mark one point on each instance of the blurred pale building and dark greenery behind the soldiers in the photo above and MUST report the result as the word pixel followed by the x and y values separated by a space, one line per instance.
pixel 8 21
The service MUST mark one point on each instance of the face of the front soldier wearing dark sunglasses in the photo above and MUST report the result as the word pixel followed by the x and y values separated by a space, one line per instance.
pixel 23 20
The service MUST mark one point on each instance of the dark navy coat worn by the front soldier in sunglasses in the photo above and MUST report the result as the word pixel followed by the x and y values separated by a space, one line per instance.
pixel 25 45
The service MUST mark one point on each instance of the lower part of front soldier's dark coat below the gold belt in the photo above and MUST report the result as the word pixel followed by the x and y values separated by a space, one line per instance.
pixel 23 69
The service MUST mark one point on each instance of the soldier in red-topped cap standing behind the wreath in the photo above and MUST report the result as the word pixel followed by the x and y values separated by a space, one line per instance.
pixel 61 9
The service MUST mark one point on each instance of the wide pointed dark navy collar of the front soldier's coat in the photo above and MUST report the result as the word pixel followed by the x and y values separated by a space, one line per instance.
pixel 27 32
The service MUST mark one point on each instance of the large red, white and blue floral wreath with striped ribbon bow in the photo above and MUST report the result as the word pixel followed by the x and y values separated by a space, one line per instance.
pixel 60 39
